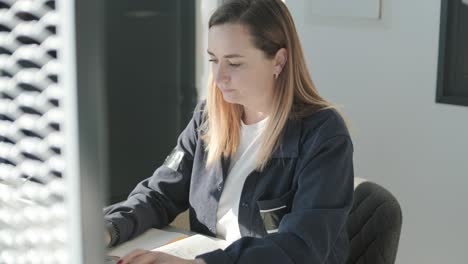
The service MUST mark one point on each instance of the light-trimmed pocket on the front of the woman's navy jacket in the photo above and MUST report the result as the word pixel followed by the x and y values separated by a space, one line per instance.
pixel 272 211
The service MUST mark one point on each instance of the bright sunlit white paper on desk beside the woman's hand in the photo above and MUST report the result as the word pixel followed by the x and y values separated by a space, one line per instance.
pixel 193 246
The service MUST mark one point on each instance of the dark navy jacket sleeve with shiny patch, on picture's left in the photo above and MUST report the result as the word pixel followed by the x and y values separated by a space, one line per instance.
pixel 157 200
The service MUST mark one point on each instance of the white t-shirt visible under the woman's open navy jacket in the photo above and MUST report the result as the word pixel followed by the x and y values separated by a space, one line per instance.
pixel 241 165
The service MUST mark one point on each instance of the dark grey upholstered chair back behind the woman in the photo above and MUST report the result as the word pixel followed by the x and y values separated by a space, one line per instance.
pixel 374 225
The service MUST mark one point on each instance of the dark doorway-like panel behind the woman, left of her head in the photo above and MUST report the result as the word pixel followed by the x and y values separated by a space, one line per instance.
pixel 150 68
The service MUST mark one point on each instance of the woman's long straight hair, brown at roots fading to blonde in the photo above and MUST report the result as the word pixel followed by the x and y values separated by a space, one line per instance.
pixel 295 96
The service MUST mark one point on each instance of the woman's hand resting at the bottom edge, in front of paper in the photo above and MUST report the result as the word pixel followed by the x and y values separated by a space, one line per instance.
pixel 141 256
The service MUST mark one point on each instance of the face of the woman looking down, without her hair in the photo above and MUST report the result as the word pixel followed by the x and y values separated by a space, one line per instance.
pixel 242 72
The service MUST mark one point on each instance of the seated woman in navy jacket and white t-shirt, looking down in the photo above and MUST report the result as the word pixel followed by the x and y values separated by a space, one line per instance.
pixel 265 162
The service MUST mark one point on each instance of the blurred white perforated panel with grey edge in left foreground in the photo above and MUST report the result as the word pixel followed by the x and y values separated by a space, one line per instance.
pixel 52 131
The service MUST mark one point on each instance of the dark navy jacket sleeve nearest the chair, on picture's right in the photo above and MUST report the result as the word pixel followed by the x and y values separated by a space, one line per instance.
pixel 318 215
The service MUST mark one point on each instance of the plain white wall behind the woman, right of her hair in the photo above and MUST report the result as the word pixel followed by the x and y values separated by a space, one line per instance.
pixel 384 73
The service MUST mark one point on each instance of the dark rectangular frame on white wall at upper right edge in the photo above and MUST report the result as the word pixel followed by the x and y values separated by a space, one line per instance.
pixel 452 74
